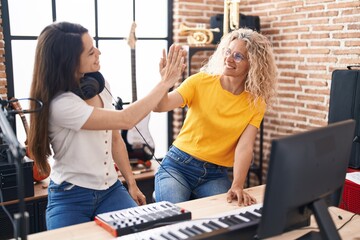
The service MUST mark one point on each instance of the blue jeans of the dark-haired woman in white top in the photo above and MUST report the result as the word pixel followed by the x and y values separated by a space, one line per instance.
pixel 69 204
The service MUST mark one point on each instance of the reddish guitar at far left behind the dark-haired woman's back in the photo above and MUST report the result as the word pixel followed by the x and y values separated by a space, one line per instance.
pixel 14 103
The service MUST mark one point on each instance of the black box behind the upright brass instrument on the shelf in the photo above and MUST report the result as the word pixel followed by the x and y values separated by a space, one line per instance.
pixel 217 21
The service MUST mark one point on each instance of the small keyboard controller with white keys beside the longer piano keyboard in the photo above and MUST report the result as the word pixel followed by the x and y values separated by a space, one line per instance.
pixel 140 218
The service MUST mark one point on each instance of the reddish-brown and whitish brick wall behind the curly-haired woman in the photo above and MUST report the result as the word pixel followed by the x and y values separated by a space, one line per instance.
pixel 311 38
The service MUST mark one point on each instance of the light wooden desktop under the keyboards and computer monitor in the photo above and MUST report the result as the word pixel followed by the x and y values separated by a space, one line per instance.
pixel 203 208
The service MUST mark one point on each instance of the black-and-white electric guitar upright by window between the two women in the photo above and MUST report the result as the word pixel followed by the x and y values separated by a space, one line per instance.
pixel 137 148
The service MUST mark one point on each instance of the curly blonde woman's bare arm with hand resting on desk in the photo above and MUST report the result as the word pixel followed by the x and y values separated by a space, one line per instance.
pixel 243 157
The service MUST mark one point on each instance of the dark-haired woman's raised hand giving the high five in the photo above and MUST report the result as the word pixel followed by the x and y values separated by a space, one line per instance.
pixel 172 66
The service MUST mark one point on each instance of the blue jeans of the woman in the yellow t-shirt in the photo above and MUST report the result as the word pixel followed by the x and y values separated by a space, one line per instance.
pixel 182 177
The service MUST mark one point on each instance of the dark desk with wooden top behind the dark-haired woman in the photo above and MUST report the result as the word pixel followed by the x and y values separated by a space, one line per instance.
pixel 36 205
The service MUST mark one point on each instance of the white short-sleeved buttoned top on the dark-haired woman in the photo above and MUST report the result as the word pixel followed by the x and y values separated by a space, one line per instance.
pixel 81 157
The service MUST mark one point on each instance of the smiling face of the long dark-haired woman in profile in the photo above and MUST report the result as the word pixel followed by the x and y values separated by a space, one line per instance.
pixel 89 58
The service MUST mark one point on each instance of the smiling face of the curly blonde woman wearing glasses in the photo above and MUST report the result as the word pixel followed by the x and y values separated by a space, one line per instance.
pixel 236 59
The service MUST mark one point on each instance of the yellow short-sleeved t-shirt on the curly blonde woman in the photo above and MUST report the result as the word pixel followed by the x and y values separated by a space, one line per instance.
pixel 215 119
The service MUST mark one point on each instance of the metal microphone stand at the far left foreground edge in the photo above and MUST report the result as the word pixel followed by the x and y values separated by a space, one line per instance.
pixel 17 153
